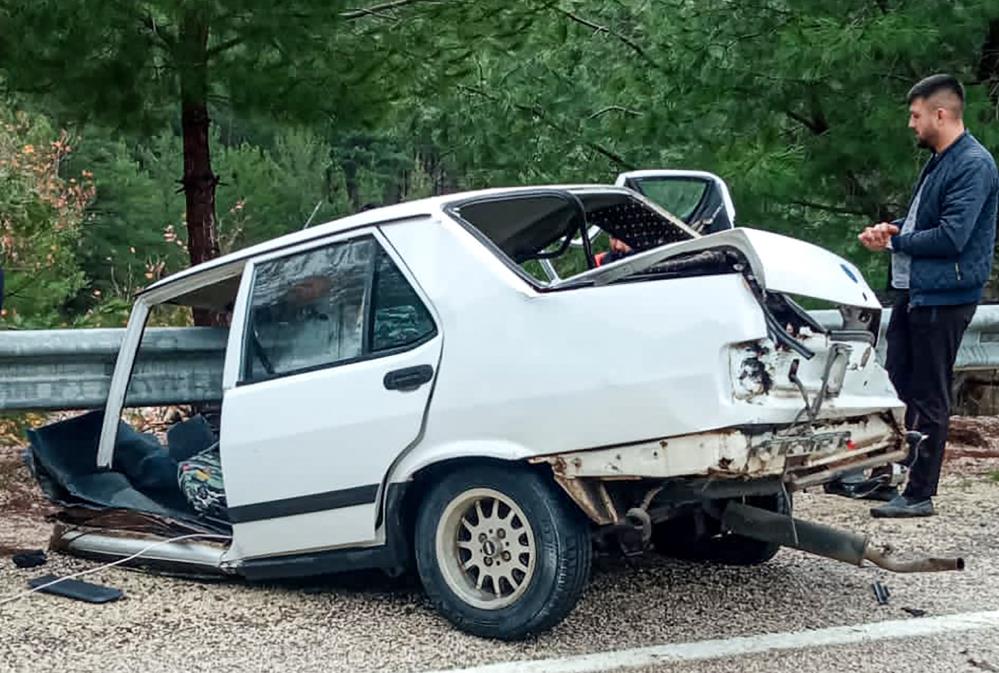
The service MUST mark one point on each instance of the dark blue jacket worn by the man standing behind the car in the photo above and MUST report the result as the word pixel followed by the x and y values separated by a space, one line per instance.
pixel 955 232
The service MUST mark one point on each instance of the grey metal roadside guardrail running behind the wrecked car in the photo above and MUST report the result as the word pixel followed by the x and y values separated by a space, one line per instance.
pixel 71 369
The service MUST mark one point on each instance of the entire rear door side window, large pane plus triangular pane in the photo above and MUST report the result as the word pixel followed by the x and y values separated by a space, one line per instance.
pixel 329 305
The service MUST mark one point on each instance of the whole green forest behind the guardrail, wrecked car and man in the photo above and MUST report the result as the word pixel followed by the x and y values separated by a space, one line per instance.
pixel 137 137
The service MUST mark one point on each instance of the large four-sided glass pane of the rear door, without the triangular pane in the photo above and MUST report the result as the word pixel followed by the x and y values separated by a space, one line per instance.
pixel 307 310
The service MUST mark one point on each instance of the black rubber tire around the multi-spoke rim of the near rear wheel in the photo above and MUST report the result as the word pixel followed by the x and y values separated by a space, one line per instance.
pixel 563 552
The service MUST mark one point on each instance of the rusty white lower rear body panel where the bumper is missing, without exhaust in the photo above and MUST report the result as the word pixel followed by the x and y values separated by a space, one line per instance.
pixel 607 483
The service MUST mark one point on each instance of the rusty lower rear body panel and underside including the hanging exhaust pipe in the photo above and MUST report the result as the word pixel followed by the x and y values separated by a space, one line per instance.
pixel 626 490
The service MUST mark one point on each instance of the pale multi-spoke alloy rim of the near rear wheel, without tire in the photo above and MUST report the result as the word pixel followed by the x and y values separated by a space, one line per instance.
pixel 486 548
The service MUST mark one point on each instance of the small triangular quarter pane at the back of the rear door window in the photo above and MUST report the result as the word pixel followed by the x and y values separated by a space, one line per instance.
pixel 400 319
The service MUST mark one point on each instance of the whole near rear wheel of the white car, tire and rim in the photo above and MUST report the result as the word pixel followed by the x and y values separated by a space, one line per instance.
pixel 501 552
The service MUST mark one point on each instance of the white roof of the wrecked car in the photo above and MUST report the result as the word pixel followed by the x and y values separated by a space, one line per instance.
pixel 421 208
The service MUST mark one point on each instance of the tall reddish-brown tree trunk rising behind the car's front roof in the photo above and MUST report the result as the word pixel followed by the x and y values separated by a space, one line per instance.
pixel 199 180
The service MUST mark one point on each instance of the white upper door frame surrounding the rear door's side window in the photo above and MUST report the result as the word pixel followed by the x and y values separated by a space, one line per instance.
pixel 367 353
